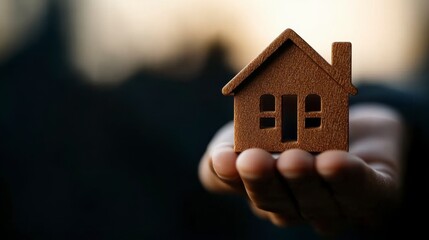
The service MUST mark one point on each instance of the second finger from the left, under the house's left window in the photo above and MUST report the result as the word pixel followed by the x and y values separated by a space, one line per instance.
pixel 264 186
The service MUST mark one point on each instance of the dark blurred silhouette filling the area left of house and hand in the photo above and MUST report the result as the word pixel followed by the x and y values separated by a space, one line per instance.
pixel 85 162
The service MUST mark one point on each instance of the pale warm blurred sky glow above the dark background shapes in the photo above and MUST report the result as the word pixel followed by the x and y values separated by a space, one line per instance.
pixel 110 40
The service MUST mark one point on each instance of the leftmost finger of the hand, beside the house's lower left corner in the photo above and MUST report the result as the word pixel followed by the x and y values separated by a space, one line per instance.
pixel 218 173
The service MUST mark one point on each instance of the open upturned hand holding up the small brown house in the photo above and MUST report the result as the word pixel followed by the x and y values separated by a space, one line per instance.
pixel 328 191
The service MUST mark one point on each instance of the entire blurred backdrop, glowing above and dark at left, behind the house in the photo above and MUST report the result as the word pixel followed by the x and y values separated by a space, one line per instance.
pixel 107 106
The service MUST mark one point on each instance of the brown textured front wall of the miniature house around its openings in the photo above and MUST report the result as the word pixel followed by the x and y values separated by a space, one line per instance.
pixel 290 71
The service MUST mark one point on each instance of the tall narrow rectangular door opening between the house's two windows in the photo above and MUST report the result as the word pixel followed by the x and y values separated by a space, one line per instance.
pixel 289 118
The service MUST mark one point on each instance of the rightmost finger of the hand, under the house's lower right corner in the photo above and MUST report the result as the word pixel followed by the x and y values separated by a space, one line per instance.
pixel 360 191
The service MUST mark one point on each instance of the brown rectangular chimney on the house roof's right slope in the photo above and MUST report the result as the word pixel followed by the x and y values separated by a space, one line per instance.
pixel 342 61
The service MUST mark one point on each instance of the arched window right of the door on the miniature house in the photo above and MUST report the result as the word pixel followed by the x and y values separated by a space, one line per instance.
pixel 313 111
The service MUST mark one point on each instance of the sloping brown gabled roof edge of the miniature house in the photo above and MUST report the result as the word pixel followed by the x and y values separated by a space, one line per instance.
pixel 288 34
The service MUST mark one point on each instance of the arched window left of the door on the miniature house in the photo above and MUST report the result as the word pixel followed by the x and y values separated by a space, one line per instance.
pixel 267 106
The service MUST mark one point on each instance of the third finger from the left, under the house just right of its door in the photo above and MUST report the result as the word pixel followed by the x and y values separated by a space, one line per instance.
pixel 313 198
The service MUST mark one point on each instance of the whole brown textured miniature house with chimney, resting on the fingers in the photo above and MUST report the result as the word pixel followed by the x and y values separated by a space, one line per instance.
pixel 290 97
